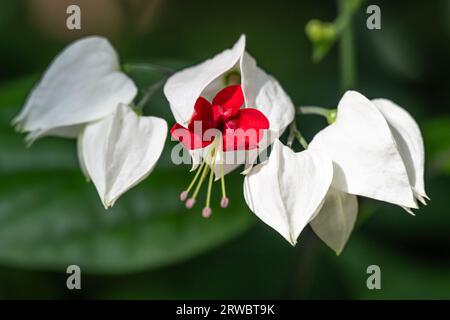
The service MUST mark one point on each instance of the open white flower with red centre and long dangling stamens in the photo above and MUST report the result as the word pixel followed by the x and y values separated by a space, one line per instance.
pixel 243 108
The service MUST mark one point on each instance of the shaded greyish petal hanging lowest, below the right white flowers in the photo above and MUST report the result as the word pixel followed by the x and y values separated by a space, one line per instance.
pixel 336 219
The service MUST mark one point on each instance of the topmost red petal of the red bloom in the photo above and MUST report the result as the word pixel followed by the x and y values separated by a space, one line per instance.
pixel 229 100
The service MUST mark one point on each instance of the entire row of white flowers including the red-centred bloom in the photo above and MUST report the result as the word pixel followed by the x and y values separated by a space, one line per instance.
pixel 228 111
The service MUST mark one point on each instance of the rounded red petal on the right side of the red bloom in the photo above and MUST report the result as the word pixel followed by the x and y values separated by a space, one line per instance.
pixel 245 130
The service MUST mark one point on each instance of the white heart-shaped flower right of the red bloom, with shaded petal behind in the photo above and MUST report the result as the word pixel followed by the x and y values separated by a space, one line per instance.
pixel 293 189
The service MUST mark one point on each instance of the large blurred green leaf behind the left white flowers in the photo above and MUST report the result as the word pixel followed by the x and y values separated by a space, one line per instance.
pixel 51 218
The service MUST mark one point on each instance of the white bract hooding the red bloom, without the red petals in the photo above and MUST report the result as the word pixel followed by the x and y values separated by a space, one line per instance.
pixel 261 91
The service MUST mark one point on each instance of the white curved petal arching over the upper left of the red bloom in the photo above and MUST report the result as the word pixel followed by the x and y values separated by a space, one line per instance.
pixel 184 87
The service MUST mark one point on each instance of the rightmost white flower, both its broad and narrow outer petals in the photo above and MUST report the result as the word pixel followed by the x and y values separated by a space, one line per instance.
pixel 377 151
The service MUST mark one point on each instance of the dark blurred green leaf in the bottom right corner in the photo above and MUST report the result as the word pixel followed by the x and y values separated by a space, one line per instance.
pixel 402 276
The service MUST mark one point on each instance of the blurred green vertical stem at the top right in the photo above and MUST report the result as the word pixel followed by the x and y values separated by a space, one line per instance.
pixel 347 50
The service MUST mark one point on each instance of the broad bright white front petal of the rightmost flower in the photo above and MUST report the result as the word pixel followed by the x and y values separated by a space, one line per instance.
pixel 365 156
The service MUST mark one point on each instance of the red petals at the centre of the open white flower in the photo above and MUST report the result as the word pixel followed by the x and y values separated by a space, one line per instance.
pixel 240 128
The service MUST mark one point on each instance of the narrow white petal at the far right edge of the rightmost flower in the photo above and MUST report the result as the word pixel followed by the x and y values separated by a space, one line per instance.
pixel 409 141
